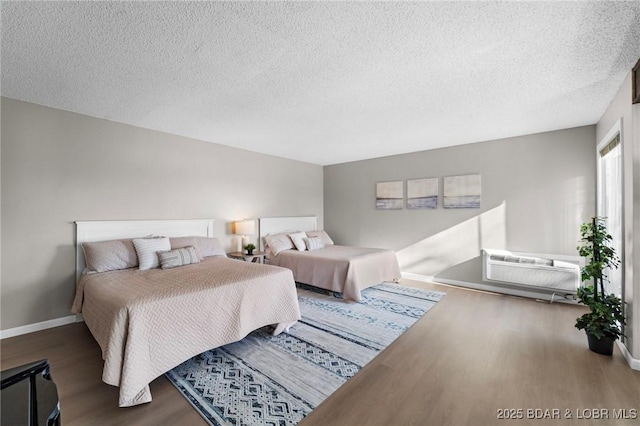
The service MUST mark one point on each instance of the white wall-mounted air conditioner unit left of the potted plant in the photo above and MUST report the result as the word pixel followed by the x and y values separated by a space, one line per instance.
pixel 544 272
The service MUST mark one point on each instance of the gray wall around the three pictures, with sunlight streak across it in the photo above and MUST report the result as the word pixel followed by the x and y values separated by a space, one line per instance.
pixel 536 190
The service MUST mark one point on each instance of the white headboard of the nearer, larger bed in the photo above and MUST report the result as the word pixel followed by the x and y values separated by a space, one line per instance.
pixel 102 230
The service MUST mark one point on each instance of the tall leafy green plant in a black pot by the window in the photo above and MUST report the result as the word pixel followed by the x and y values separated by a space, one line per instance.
pixel 603 322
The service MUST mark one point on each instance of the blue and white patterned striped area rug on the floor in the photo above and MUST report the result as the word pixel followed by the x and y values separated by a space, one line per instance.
pixel 278 380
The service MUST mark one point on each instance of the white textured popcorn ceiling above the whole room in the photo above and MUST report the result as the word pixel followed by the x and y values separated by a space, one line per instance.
pixel 324 82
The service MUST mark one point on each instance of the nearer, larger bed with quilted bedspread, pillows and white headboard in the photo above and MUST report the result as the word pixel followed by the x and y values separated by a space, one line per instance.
pixel 149 320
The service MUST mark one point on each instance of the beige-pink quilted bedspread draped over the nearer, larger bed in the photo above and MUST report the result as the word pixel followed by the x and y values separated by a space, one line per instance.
pixel 147 322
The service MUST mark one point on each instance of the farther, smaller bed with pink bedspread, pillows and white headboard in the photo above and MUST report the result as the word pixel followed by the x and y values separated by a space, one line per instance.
pixel 296 243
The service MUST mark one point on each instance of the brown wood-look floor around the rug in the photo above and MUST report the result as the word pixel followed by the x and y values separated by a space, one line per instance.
pixel 472 355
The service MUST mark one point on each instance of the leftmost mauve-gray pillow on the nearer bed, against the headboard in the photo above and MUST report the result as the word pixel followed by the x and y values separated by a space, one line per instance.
pixel 112 255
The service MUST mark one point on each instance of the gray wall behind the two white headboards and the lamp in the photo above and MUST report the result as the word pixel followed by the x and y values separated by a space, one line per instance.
pixel 59 167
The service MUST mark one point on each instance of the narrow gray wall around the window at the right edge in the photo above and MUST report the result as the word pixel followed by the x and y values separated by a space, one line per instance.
pixel 621 107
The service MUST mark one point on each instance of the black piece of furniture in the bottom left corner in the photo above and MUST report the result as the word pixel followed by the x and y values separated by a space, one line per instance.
pixel 29 396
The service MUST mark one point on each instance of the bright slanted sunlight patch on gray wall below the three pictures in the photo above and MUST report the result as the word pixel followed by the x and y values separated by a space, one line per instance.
pixel 457 244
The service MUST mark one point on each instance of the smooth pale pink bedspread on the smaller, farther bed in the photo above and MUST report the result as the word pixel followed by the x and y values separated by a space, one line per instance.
pixel 343 269
